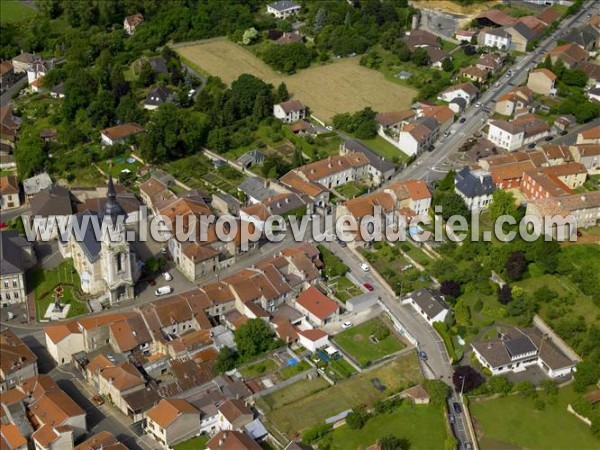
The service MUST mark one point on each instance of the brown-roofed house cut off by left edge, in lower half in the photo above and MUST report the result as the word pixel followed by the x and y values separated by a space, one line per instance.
pixel 17 361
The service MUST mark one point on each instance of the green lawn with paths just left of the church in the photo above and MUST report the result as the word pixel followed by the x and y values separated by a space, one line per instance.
pixel 44 283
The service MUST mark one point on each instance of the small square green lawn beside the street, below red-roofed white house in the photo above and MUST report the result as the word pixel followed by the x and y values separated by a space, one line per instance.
pixel 356 341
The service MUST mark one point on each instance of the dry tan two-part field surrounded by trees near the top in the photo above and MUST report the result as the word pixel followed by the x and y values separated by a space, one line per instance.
pixel 341 86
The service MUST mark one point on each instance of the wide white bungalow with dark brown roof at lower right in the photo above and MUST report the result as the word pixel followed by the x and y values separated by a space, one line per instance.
pixel 516 349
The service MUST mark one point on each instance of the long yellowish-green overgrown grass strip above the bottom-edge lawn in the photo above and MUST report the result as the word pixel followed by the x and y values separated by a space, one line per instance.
pixel 303 411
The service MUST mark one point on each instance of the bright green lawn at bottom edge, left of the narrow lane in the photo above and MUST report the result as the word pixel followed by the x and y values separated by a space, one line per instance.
pixel 420 426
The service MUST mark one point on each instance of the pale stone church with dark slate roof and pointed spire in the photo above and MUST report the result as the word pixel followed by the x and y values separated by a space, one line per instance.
pixel 106 264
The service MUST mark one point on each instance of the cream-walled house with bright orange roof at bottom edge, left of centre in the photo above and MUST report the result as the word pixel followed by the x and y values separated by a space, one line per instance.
pixel 172 421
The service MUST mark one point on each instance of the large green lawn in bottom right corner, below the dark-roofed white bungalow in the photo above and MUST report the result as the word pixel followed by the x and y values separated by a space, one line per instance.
pixel 514 420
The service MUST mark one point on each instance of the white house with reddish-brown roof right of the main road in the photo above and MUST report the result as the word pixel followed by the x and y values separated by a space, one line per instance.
pixel 517 133
